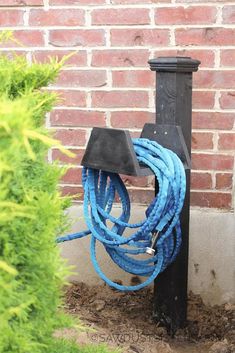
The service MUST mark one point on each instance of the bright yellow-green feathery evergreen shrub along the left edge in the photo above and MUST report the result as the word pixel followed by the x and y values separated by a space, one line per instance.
pixel 32 272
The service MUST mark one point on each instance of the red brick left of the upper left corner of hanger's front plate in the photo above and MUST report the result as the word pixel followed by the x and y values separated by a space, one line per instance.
pixel 71 137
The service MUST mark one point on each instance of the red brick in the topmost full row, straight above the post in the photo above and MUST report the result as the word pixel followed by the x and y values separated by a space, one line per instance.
pixel 185 15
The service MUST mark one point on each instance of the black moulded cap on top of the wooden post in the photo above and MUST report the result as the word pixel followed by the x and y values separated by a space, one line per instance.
pixel 174 64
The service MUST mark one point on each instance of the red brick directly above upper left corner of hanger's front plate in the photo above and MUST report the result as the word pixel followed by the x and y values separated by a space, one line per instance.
pixel 78 118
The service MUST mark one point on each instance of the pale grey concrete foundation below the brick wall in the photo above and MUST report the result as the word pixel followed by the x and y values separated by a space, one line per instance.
pixel 211 257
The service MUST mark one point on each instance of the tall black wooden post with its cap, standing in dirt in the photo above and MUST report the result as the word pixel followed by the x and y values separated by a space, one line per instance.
pixel 174 107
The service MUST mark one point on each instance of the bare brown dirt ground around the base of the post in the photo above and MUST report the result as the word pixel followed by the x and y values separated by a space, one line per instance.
pixel 125 320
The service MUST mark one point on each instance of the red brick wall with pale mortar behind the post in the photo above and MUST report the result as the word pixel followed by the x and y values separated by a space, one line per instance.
pixel 108 82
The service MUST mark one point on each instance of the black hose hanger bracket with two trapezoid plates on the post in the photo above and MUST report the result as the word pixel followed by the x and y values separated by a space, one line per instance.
pixel 112 150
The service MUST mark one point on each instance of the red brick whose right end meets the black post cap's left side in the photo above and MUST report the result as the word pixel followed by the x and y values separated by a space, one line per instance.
pixel 116 57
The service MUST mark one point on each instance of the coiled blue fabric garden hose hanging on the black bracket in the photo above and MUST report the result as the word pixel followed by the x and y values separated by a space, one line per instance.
pixel 158 235
